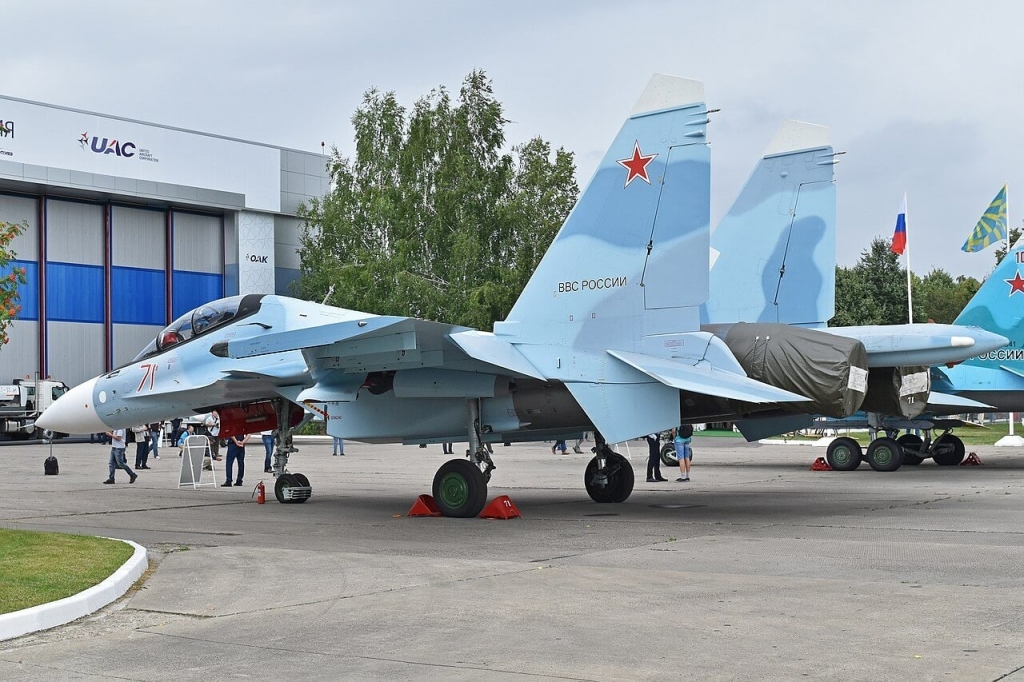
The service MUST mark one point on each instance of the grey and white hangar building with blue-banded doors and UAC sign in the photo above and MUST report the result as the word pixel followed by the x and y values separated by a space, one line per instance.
pixel 132 225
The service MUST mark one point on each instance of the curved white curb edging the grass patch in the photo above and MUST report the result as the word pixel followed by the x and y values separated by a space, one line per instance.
pixel 70 609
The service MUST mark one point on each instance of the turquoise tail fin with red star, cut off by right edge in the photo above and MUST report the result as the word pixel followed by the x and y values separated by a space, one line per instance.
pixel 999 307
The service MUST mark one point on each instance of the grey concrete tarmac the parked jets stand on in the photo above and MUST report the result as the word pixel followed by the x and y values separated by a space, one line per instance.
pixel 758 569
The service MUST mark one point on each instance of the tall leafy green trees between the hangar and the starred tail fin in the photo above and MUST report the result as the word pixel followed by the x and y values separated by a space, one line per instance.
pixel 431 218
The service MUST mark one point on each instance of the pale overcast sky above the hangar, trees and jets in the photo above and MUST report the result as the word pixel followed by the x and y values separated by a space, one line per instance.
pixel 924 97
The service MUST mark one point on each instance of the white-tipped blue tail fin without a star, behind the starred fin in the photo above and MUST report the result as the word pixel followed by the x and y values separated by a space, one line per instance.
pixel 774 255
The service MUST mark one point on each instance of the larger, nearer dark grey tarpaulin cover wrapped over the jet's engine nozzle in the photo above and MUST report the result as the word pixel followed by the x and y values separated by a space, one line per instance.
pixel 831 370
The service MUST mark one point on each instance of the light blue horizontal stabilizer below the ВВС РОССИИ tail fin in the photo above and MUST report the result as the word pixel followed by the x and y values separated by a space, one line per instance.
pixel 706 379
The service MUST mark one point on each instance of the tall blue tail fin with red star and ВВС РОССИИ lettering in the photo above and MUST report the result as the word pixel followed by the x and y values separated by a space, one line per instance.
pixel 632 258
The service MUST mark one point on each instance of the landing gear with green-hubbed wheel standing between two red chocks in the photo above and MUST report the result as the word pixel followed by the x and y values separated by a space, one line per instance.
pixel 460 488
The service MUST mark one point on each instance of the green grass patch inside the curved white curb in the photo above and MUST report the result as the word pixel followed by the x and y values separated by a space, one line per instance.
pixel 38 568
